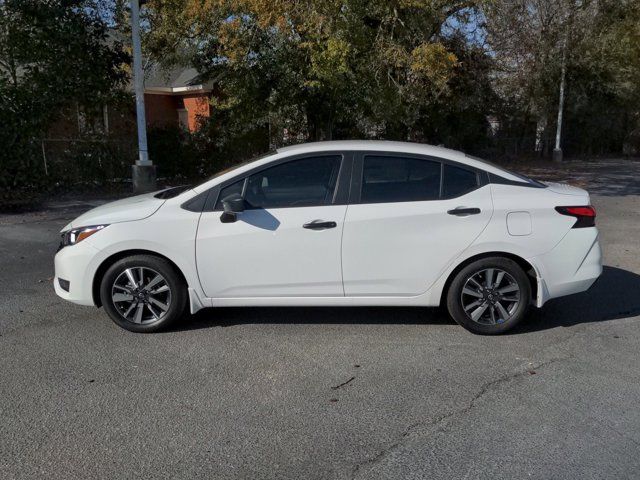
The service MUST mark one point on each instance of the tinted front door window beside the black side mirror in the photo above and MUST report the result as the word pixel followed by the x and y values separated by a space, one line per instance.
pixel 307 182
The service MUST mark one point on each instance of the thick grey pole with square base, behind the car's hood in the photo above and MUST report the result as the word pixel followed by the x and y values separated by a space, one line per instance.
pixel 143 171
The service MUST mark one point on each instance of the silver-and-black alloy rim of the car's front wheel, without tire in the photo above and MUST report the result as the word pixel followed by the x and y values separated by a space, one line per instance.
pixel 141 295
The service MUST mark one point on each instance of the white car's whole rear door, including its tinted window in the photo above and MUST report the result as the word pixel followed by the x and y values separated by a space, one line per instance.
pixel 410 216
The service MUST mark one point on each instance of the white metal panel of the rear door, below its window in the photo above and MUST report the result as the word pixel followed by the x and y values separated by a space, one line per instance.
pixel 394 249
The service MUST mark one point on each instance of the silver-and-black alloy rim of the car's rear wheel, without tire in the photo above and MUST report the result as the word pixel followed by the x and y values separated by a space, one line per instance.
pixel 490 296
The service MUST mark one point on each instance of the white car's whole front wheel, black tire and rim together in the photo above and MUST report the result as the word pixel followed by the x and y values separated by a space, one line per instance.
pixel 149 309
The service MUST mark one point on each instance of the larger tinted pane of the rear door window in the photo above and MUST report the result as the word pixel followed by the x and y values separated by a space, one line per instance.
pixel 387 179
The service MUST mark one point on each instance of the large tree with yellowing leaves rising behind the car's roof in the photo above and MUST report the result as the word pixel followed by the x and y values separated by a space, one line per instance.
pixel 320 68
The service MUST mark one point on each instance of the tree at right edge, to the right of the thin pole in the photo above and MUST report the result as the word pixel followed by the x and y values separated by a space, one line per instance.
pixel 603 104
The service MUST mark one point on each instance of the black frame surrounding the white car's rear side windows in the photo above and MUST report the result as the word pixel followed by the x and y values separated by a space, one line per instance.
pixel 358 172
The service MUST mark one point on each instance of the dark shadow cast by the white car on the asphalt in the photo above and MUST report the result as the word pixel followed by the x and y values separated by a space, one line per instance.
pixel 615 295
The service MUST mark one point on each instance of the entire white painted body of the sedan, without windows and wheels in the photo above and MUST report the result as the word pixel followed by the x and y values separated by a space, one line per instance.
pixel 379 254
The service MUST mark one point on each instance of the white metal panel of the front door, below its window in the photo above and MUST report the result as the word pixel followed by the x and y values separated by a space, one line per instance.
pixel 267 253
